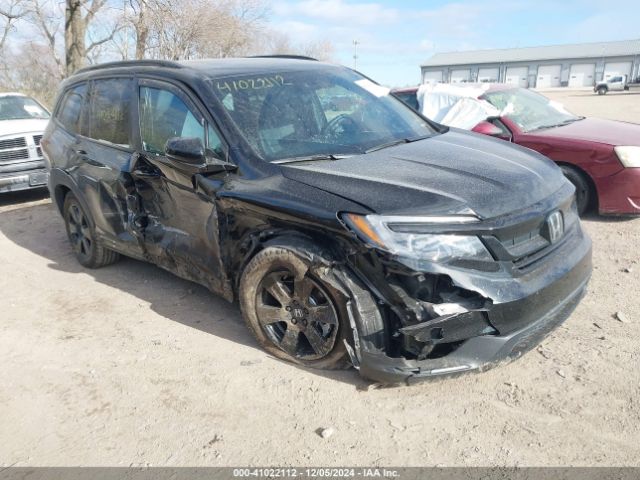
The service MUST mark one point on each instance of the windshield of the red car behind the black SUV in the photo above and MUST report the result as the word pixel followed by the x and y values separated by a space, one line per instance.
pixel 529 110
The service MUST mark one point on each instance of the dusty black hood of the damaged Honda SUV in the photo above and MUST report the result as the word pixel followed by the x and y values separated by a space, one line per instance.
pixel 445 174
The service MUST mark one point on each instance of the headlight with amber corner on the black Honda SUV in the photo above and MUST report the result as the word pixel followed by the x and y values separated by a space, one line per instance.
pixel 379 231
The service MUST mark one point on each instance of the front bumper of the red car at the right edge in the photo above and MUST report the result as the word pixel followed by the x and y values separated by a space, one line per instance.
pixel 619 194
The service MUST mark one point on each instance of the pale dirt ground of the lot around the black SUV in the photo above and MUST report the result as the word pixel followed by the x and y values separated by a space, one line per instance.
pixel 129 365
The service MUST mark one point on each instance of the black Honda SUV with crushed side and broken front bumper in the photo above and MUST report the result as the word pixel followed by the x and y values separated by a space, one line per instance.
pixel 349 228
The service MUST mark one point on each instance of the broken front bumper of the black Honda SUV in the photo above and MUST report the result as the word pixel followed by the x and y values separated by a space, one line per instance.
pixel 524 311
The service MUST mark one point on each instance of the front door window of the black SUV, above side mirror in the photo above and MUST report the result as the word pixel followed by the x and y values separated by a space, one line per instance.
pixel 164 115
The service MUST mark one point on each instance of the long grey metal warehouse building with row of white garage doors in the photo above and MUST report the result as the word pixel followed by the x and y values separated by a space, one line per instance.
pixel 578 65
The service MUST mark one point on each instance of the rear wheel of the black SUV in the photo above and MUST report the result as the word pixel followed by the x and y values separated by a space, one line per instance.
pixel 82 236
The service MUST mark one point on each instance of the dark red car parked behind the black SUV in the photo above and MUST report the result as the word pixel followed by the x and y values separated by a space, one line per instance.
pixel 600 157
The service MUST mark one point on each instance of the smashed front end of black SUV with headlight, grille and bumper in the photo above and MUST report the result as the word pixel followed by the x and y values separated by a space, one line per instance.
pixel 460 294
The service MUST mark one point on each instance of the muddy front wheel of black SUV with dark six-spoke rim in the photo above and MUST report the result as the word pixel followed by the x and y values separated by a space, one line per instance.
pixel 294 315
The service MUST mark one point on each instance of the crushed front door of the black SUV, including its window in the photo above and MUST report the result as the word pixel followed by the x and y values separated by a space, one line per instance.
pixel 181 231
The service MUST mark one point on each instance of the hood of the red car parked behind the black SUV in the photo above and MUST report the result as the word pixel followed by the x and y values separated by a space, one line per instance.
pixel 609 132
